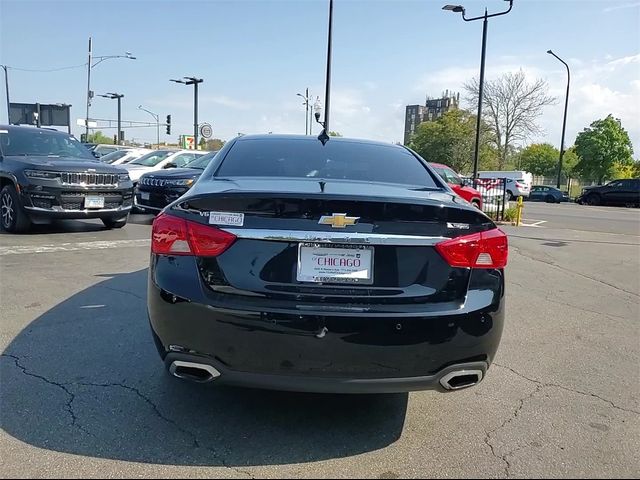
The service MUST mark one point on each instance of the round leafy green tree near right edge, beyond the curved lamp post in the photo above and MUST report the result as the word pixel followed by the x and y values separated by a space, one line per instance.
pixel 604 149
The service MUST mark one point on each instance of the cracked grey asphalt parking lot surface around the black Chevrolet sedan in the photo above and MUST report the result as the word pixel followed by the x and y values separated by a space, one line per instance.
pixel 83 392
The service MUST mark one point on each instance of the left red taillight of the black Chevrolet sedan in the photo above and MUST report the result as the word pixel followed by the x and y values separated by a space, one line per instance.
pixel 176 236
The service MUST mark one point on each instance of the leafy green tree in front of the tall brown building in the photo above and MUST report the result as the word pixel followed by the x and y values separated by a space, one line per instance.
pixel 451 140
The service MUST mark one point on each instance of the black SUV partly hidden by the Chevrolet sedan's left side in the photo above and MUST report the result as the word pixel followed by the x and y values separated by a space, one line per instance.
pixel 158 189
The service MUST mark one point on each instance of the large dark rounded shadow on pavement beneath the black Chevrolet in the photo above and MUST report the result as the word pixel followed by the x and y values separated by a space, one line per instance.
pixel 84 378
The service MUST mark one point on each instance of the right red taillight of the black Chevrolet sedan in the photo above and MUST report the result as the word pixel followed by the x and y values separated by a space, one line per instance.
pixel 487 249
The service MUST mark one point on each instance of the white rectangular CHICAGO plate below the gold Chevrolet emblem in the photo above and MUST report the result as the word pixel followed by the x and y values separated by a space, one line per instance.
pixel 328 274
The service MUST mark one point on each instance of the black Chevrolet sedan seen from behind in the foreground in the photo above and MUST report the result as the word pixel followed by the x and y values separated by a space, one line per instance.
pixel 349 267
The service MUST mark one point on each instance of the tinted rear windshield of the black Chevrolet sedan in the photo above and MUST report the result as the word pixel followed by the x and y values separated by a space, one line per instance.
pixel 343 160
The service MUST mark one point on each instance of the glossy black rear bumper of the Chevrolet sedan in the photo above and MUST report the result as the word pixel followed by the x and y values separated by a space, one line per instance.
pixel 318 348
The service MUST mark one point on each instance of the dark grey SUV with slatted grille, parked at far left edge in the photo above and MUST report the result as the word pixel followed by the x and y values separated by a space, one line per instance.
pixel 47 174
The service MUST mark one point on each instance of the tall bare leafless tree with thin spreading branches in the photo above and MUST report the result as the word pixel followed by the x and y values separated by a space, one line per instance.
pixel 510 107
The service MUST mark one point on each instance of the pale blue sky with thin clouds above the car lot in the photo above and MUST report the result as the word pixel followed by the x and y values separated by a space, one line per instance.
pixel 256 55
